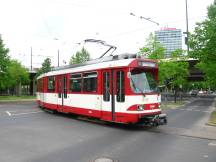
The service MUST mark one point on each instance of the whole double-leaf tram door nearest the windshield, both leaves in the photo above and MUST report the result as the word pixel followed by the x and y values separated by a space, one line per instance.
pixel 113 90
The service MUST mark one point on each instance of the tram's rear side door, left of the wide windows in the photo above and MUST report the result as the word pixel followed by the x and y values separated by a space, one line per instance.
pixel 62 91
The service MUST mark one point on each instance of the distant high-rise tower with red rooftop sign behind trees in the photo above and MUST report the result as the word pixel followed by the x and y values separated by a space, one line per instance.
pixel 170 39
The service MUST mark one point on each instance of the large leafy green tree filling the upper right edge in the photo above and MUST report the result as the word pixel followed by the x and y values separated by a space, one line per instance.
pixel 202 44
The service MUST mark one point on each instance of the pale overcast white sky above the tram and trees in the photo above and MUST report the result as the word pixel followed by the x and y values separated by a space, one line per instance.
pixel 49 26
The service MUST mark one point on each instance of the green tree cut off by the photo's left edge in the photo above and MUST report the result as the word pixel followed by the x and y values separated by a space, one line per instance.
pixel 4 62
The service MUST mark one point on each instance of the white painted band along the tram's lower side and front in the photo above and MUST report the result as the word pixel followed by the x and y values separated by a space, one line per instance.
pixel 94 102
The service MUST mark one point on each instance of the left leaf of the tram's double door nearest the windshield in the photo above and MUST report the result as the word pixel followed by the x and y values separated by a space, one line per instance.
pixel 108 98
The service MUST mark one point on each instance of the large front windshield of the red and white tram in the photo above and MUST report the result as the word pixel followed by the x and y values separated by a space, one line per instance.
pixel 143 81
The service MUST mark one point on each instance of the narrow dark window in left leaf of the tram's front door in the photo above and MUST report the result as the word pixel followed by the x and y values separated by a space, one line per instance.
pixel 106 86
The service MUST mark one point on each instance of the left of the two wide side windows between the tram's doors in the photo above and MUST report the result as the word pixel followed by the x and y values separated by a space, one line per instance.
pixel 75 82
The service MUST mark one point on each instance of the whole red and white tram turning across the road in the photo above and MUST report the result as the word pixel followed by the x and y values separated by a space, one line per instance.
pixel 120 88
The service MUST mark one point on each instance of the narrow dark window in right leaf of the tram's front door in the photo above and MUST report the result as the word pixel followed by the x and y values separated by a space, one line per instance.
pixel 120 86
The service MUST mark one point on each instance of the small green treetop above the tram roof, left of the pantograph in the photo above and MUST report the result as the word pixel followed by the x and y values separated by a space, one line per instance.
pixel 80 57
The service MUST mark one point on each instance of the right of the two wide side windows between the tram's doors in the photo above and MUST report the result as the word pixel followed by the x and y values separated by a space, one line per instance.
pixel 90 82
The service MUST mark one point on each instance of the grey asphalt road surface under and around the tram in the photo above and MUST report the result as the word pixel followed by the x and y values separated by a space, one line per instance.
pixel 28 134
